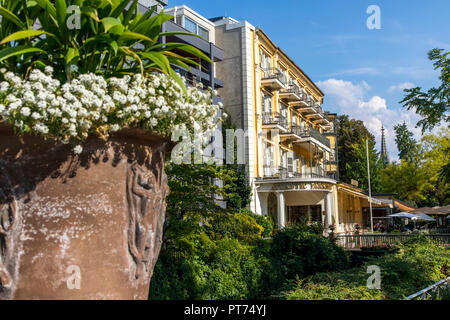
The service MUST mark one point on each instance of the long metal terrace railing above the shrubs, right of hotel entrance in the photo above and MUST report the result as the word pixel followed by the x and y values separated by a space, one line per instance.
pixel 360 241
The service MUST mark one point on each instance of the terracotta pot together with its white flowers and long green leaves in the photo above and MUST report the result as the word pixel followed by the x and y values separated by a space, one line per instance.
pixel 88 100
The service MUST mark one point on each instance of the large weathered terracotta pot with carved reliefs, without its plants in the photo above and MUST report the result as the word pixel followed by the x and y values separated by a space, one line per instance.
pixel 80 227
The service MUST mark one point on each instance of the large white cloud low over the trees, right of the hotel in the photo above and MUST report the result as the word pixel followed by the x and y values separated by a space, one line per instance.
pixel 345 97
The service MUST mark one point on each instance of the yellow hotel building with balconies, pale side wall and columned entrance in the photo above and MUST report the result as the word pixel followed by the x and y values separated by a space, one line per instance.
pixel 291 141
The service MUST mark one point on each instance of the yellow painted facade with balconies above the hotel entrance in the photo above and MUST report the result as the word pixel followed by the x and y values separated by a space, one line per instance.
pixel 309 155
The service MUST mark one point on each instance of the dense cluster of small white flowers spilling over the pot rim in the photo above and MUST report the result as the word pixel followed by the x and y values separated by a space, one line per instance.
pixel 89 103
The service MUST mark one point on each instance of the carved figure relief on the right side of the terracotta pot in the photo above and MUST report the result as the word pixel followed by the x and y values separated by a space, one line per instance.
pixel 146 200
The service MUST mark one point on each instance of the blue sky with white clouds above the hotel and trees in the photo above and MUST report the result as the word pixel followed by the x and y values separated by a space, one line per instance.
pixel 362 72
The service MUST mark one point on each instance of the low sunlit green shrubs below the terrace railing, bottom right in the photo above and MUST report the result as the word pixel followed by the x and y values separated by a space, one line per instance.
pixel 407 269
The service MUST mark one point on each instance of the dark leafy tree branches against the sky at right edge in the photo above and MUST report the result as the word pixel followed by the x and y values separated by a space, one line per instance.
pixel 434 105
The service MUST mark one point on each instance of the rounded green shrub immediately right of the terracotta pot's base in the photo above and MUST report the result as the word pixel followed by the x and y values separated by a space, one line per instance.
pixel 220 270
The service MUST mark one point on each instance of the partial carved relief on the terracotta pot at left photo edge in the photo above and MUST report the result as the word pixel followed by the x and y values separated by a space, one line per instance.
pixel 9 225
